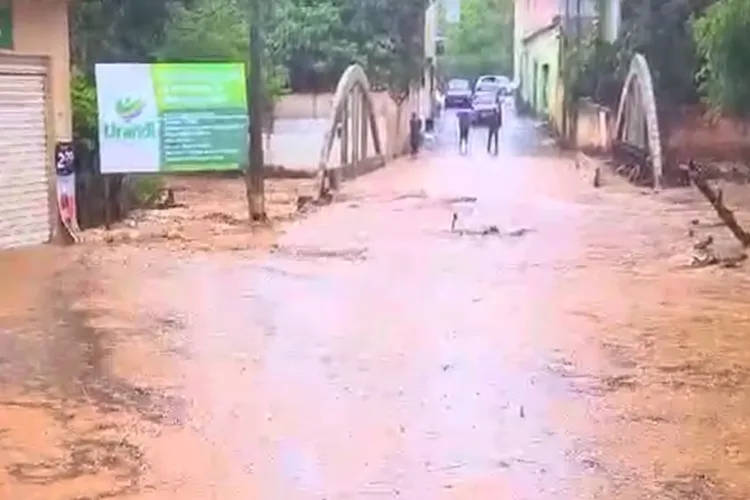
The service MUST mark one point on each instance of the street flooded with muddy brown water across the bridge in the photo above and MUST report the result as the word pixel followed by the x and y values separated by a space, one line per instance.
pixel 550 347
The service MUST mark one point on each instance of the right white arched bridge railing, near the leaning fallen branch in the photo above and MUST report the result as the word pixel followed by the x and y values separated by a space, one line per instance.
pixel 637 127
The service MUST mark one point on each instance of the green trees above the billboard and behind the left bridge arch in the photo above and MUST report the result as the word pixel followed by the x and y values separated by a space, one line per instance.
pixel 303 37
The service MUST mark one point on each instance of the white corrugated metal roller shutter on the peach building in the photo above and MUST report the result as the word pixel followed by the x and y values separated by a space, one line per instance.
pixel 24 188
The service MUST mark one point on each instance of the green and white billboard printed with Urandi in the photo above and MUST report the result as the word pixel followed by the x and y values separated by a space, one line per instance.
pixel 172 117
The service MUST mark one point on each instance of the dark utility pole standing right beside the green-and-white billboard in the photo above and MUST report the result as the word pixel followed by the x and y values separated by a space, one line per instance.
pixel 254 174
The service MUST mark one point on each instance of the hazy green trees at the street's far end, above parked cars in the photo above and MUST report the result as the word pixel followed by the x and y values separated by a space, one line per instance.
pixel 482 41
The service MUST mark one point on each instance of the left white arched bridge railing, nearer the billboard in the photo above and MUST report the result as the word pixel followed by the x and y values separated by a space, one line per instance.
pixel 353 123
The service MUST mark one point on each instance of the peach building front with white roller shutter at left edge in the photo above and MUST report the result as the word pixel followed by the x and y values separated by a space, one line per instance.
pixel 35 113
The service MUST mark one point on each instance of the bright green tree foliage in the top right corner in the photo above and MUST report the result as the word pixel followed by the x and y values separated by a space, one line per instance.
pixel 722 36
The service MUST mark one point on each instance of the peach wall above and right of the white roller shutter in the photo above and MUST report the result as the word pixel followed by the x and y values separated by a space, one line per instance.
pixel 40 28
